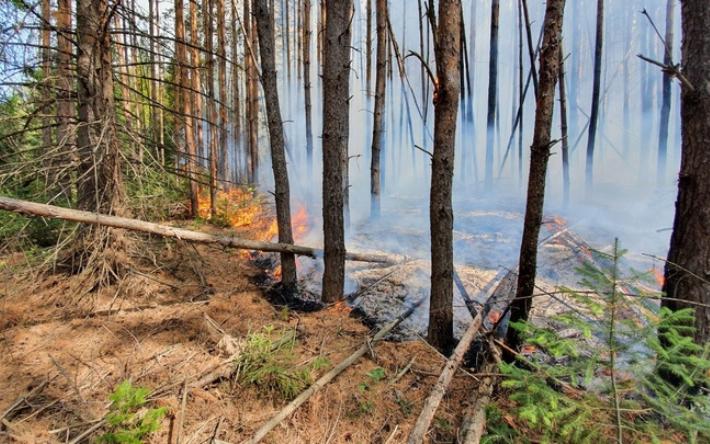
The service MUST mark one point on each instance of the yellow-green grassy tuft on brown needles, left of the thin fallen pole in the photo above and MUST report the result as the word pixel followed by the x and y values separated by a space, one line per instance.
pixel 268 362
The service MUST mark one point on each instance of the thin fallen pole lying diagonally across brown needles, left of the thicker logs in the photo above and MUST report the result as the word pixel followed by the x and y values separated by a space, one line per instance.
pixel 329 376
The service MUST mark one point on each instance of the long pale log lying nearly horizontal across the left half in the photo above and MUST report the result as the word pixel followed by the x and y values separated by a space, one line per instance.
pixel 43 210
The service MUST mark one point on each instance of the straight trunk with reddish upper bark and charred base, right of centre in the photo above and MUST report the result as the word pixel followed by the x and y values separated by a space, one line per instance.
pixel 441 216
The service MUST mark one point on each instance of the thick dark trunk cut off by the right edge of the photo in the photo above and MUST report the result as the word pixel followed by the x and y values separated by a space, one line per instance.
pixel 687 271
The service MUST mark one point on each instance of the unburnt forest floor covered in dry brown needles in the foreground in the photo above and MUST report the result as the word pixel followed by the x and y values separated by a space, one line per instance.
pixel 153 328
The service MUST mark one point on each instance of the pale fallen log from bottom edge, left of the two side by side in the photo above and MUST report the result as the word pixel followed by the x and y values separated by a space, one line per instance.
pixel 421 427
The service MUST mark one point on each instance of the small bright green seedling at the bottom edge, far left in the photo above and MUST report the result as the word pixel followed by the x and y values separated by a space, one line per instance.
pixel 128 420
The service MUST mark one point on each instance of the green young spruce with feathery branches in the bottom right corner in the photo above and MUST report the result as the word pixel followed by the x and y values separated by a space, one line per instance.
pixel 612 377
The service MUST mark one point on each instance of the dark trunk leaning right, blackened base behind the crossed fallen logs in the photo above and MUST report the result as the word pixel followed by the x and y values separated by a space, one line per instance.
pixel 539 155
